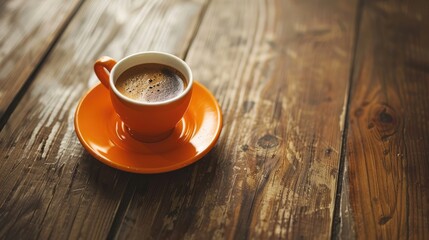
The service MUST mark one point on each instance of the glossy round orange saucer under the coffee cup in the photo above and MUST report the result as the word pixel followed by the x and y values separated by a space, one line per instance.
pixel 102 133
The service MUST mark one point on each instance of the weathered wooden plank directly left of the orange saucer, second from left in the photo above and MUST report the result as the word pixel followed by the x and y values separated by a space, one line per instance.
pixel 50 186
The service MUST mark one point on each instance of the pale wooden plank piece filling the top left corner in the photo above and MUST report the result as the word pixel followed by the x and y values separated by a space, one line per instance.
pixel 28 30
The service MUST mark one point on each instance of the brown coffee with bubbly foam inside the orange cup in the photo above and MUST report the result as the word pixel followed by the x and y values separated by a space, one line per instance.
pixel 151 82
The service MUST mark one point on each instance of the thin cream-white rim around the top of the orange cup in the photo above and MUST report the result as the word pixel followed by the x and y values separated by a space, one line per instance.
pixel 187 75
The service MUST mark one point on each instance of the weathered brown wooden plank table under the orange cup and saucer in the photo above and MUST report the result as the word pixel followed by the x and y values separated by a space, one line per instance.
pixel 326 120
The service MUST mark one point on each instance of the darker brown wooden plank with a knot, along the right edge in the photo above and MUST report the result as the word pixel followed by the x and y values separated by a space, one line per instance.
pixel 388 145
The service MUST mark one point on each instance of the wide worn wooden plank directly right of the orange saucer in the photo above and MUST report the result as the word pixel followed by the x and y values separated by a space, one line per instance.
pixel 280 71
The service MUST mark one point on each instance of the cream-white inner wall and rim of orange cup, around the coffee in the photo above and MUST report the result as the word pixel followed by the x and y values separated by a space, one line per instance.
pixel 151 57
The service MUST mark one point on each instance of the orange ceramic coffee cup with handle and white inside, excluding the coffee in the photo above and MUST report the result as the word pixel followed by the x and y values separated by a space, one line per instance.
pixel 145 121
